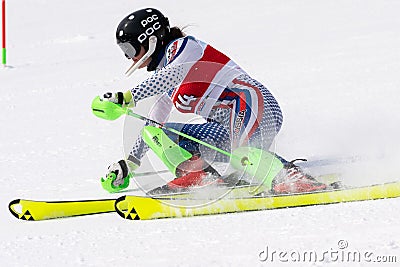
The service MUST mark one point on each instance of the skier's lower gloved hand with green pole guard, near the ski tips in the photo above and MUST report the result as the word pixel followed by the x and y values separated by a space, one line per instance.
pixel 118 175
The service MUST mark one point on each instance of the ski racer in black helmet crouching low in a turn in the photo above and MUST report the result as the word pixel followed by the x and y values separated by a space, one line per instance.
pixel 196 78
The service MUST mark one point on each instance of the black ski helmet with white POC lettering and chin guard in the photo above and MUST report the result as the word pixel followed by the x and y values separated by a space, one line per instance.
pixel 136 28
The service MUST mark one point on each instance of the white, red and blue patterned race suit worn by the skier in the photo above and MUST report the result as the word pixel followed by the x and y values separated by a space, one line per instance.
pixel 195 78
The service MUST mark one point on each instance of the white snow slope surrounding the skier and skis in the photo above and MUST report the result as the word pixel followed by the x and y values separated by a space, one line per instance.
pixel 333 66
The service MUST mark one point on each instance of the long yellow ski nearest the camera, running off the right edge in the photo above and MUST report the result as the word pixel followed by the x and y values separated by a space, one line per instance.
pixel 146 208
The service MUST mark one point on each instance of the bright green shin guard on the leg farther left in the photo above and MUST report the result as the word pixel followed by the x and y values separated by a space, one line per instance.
pixel 168 151
